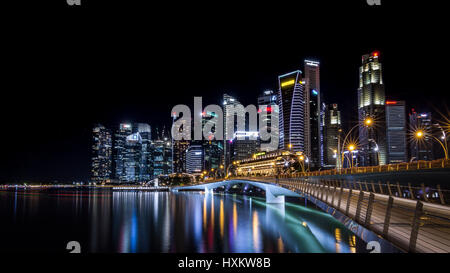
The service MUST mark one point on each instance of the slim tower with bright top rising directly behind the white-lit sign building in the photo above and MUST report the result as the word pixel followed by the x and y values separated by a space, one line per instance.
pixel 228 103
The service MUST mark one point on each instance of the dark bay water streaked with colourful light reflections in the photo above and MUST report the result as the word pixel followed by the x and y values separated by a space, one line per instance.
pixel 129 222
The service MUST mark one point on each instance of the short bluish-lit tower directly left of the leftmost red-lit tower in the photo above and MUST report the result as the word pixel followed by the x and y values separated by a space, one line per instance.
pixel 162 156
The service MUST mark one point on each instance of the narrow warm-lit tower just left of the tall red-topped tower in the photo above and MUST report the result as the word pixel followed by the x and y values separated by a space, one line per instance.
pixel 331 133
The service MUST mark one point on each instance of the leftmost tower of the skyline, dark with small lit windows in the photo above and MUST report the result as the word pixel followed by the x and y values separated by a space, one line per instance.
pixel 101 154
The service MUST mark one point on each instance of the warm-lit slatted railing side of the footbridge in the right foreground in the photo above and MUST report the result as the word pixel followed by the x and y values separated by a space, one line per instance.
pixel 413 225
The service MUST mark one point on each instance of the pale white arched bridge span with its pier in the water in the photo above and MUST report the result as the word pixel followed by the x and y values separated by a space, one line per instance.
pixel 274 193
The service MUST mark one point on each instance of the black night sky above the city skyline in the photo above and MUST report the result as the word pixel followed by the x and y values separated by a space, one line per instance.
pixel 67 68
